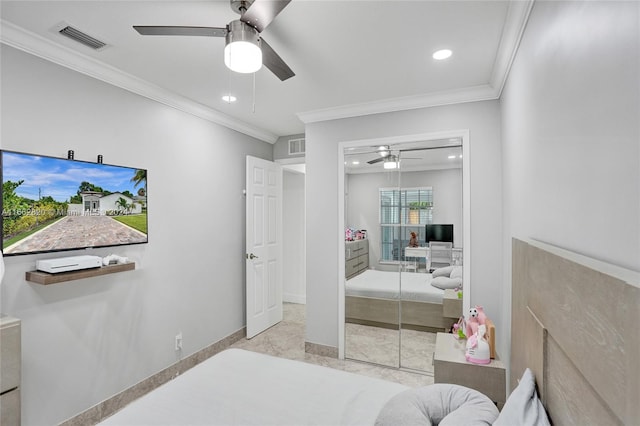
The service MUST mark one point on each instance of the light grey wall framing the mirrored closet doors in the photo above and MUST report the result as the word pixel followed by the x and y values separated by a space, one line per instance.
pixel 323 236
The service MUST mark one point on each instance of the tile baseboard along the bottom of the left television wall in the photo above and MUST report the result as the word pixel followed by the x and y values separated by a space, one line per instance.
pixel 110 406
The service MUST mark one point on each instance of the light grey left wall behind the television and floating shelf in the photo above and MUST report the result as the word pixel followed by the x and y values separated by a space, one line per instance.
pixel 86 340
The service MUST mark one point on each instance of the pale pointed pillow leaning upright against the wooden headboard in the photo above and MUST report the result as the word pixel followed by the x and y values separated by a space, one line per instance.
pixel 523 406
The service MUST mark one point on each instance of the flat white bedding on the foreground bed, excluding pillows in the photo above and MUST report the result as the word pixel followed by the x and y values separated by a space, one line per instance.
pixel 238 387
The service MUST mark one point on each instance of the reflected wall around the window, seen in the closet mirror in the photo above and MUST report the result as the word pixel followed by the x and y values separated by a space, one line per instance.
pixel 363 210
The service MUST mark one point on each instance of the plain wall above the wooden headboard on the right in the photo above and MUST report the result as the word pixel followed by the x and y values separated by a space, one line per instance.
pixel 571 138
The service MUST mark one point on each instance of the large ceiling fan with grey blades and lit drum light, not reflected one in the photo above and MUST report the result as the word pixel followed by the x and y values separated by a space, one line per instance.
pixel 245 51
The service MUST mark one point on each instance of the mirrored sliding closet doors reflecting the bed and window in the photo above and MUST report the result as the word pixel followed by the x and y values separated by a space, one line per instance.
pixel 391 309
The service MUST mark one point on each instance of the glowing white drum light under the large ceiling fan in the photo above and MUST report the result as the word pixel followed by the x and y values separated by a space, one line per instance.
pixel 242 53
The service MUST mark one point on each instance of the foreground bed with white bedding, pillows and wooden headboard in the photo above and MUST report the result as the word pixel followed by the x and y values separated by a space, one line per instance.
pixel 574 352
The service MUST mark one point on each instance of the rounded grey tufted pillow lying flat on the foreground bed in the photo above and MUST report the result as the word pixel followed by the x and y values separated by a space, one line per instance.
pixel 443 404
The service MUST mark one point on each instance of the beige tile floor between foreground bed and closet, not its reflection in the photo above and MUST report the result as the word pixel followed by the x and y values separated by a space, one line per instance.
pixel 286 340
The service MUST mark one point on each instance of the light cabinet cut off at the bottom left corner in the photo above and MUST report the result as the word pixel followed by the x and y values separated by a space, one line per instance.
pixel 10 365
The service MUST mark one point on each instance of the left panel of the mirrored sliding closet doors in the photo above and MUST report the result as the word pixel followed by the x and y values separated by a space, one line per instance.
pixel 372 310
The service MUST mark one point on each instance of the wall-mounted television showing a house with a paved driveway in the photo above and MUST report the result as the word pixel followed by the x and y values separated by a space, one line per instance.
pixel 54 204
